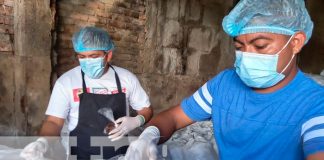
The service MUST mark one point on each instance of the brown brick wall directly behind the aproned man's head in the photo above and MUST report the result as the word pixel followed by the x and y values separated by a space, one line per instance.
pixel 123 19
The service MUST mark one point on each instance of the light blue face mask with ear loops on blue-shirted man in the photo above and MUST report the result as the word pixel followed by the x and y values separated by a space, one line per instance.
pixel 259 70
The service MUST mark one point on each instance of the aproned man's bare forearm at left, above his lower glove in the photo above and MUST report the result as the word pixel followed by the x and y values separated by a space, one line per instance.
pixel 52 126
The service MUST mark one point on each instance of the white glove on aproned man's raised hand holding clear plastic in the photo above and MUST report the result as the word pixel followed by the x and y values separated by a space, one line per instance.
pixel 126 125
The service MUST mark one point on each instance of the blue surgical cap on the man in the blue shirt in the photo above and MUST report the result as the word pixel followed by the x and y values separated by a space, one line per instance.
pixel 271 16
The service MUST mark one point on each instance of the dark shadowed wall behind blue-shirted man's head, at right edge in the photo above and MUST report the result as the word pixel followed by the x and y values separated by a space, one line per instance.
pixel 311 58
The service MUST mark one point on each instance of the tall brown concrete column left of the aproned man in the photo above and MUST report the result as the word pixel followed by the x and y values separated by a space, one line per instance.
pixel 31 64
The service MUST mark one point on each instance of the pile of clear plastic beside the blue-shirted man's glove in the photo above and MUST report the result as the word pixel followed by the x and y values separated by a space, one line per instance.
pixel 193 142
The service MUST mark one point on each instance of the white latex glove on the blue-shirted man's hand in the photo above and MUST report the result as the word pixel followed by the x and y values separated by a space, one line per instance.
pixel 145 147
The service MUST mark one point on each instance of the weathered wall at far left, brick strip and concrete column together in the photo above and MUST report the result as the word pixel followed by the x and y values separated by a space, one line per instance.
pixel 25 65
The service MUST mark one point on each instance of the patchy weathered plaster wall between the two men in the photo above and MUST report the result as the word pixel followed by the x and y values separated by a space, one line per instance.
pixel 185 46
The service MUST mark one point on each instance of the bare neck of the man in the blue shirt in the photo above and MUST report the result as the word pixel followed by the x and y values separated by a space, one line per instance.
pixel 289 77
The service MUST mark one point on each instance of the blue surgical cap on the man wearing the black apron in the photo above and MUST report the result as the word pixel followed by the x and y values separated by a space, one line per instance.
pixel 91 39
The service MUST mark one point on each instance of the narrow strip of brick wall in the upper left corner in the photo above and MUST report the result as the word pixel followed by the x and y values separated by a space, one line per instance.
pixel 6 27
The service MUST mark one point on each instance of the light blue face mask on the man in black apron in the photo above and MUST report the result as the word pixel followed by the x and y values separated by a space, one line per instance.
pixel 93 67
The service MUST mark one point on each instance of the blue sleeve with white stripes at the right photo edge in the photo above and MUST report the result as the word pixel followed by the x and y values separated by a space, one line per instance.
pixel 313 133
